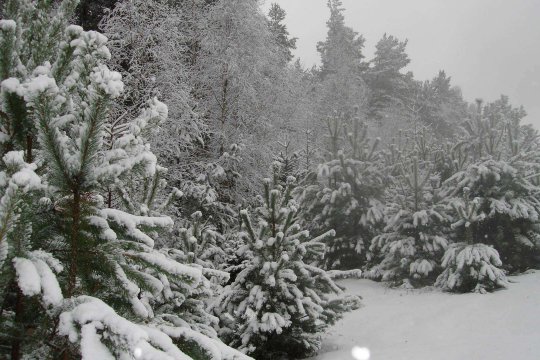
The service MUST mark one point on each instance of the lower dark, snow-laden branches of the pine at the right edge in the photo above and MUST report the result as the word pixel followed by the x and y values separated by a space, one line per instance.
pixel 504 193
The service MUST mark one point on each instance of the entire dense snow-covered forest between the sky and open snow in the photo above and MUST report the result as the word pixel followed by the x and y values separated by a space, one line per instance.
pixel 121 234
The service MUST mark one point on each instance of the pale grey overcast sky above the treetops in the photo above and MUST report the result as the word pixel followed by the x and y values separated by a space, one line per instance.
pixel 489 47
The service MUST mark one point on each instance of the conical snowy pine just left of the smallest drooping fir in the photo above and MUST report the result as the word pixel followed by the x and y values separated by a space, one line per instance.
pixel 413 241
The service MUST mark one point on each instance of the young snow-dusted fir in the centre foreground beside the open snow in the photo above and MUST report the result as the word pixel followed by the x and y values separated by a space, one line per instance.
pixel 279 305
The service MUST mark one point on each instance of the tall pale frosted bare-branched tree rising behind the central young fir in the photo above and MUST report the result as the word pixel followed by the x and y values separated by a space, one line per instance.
pixel 244 90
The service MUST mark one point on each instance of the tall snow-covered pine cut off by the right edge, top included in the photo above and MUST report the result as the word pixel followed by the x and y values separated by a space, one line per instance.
pixel 502 166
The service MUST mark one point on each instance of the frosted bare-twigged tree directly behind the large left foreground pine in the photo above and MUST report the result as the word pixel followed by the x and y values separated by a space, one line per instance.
pixel 150 46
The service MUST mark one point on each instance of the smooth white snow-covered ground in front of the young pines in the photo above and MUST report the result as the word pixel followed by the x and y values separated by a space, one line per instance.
pixel 431 325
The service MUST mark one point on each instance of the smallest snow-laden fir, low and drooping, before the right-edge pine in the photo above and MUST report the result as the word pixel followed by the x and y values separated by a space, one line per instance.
pixel 469 265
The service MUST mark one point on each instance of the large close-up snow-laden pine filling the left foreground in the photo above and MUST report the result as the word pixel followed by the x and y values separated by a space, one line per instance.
pixel 60 240
